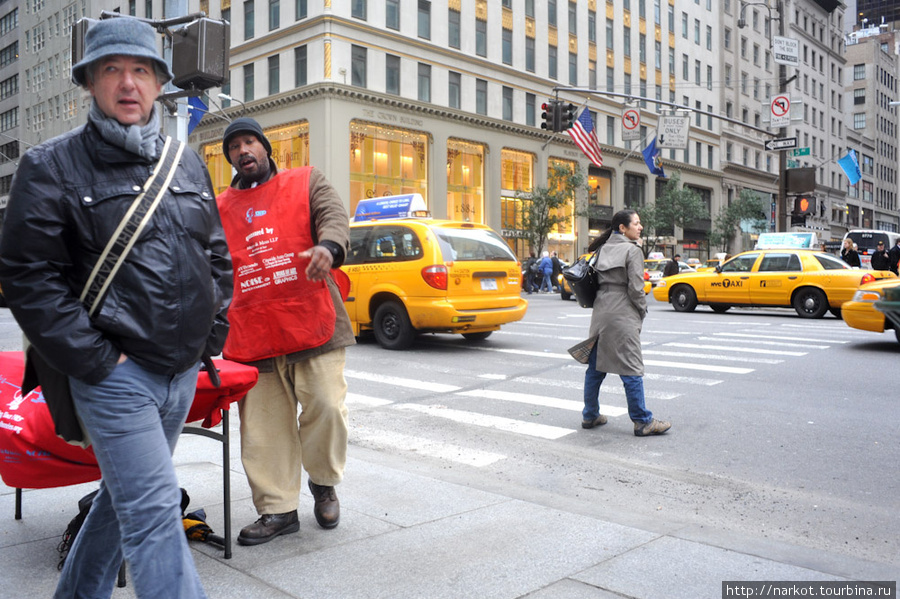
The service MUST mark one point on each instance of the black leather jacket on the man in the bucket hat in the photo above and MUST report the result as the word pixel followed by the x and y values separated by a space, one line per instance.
pixel 167 304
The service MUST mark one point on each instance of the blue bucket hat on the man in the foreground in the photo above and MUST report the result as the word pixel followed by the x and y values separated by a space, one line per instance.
pixel 121 36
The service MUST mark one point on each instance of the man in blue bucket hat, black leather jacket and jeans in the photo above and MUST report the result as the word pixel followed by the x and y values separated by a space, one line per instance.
pixel 130 354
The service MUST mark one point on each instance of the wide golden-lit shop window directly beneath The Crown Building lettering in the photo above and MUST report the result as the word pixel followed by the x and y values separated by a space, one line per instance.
pixel 386 161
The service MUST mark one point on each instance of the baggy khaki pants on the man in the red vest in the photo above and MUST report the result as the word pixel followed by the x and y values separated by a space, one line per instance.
pixel 275 442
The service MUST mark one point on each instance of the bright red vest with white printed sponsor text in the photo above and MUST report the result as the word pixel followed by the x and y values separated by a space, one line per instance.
pixel 276 310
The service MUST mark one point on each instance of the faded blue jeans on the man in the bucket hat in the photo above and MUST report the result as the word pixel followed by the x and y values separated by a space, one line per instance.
pixel 133 418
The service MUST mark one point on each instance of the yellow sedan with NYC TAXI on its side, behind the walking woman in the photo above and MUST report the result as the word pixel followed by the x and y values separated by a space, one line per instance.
pixel 810 281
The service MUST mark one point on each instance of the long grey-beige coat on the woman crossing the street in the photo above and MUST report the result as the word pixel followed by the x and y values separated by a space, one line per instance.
pixel 619 308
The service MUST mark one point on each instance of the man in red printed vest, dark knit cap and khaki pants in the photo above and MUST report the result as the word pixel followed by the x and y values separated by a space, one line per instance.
pixel 288 233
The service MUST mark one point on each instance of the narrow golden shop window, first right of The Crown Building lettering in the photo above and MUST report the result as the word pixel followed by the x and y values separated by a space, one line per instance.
pixel 465 181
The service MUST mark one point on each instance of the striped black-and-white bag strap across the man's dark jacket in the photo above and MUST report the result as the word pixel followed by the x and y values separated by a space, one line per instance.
pixel 134 221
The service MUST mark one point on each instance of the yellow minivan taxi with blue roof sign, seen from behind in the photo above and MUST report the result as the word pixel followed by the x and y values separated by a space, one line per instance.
pixel 412 274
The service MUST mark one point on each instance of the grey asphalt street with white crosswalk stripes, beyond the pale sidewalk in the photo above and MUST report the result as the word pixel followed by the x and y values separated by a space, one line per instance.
pixel 784 429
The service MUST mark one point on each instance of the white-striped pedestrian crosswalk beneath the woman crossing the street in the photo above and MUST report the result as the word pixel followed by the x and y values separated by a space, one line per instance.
pixel 548 383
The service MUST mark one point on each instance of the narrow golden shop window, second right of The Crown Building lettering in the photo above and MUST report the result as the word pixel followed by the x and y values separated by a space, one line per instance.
pixel 517 177
